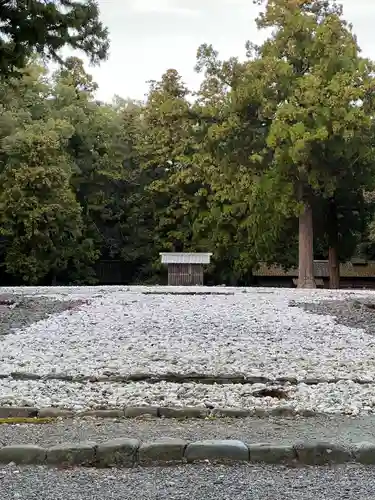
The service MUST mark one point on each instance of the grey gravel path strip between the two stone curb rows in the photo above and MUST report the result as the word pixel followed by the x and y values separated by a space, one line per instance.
pixel 338 429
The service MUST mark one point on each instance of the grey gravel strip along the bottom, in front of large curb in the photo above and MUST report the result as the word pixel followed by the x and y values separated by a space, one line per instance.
pixel 205 482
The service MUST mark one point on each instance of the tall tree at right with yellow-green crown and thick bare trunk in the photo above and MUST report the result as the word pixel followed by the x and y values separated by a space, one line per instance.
pixel 321 120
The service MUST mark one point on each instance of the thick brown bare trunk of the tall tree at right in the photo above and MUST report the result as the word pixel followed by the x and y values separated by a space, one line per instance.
pixel 306 247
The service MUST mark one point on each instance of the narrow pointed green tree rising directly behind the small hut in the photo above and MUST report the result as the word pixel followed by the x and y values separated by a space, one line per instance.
pixel 166 148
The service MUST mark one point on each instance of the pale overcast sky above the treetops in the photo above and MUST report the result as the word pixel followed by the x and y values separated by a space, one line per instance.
pixel 151 36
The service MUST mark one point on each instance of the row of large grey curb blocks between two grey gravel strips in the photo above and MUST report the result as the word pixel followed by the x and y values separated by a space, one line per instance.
pixel 126 452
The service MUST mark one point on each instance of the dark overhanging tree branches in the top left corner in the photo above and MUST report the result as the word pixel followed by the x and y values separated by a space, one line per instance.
pixel 46 27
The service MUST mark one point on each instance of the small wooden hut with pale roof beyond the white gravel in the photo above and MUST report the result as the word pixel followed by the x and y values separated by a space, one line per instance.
pixel 185 269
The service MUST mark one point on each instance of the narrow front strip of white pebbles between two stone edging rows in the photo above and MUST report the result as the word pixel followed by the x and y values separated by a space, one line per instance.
pixel 344 397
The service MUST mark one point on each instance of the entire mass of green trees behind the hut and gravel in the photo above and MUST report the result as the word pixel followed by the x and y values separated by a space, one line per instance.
pixel 270 161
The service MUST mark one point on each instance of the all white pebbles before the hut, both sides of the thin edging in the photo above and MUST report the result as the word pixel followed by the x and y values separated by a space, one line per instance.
pixel 251 332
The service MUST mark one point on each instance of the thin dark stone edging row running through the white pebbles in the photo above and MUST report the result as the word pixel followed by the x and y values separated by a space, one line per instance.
pixel 177 378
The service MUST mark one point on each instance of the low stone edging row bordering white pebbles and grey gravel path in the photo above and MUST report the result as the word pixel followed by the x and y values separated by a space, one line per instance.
pixel 27 412
